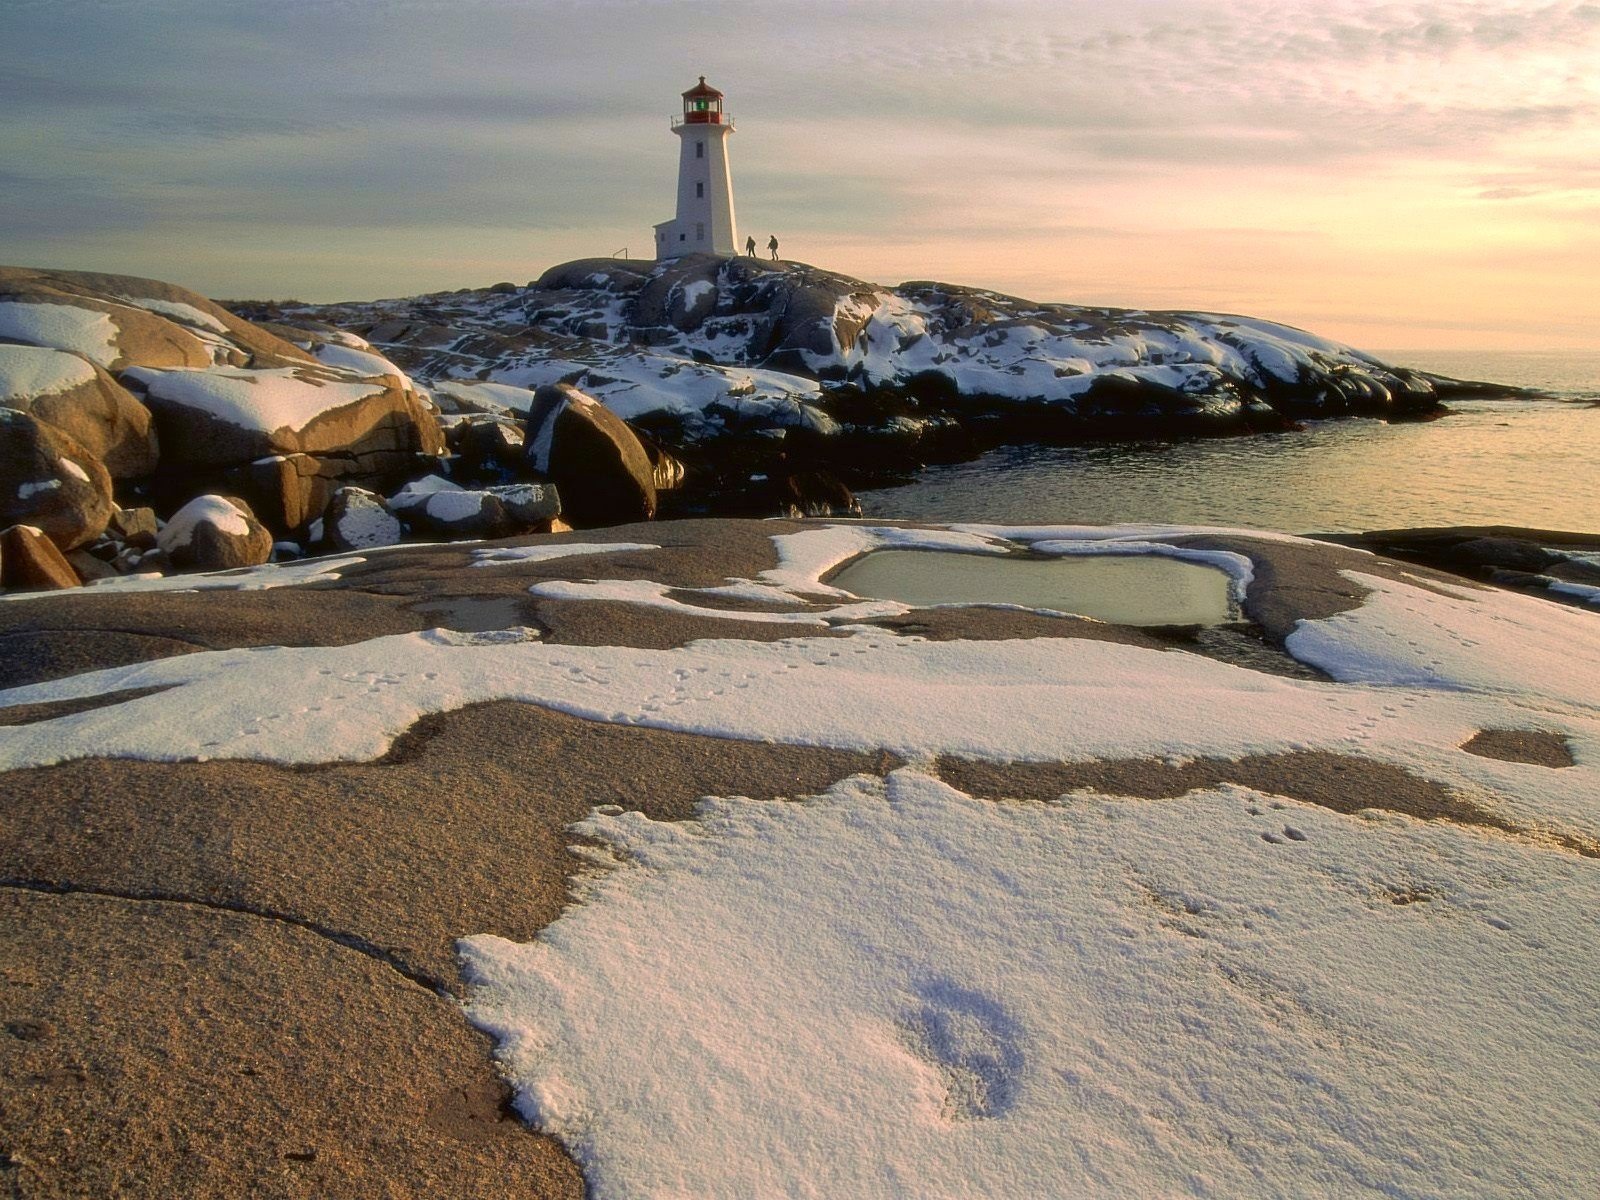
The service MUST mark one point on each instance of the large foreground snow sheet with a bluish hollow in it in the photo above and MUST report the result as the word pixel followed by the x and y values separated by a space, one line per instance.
pixel 898 991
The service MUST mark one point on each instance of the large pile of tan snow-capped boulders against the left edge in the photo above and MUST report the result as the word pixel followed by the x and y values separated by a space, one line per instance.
pixel 161 388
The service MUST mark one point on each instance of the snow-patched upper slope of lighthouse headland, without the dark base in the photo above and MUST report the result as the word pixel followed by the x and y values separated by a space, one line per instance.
pixel 718 345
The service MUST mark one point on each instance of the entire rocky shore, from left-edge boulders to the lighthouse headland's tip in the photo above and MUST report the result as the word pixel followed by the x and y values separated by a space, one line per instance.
pixel 146 430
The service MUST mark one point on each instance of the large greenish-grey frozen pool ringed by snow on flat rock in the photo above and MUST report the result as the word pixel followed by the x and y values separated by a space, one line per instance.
pixel 1129 590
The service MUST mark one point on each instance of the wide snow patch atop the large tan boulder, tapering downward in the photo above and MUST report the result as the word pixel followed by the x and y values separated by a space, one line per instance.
pixel 287 398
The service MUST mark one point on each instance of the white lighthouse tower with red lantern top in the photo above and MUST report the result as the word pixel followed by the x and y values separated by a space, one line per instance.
pixel 705 223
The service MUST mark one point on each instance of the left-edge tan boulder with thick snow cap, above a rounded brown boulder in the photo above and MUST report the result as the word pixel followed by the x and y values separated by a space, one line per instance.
pixel 82 401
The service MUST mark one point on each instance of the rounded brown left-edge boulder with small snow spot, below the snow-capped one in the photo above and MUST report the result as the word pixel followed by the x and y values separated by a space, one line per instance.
pixel 50 482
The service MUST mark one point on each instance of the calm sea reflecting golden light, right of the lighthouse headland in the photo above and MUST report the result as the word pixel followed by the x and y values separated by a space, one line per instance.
pixel 1532 463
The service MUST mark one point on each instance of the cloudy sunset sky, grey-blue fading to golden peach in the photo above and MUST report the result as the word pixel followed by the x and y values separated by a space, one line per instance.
pixel 1398 175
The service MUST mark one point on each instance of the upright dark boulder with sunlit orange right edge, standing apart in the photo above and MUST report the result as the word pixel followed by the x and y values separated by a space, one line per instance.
pixel 594 460
